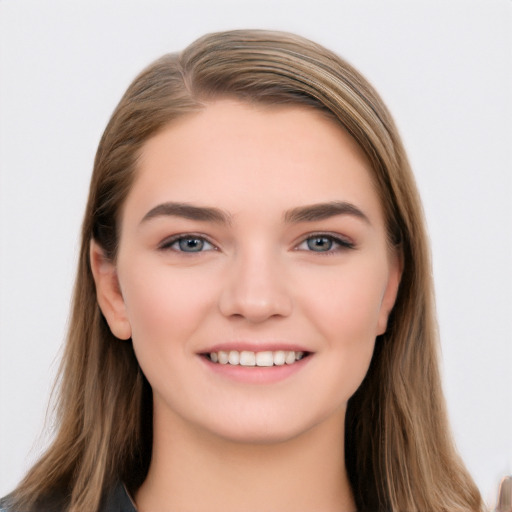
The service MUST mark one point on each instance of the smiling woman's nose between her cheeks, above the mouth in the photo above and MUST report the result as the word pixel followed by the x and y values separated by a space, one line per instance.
pixel 256 288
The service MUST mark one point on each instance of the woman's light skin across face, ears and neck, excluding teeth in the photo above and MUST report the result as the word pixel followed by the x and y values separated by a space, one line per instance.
pixel 250 228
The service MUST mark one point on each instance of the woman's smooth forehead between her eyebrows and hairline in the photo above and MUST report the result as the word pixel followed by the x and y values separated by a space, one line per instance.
pixel 239 156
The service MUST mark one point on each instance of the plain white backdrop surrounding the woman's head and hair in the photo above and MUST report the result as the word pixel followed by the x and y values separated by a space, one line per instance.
pixel 443 67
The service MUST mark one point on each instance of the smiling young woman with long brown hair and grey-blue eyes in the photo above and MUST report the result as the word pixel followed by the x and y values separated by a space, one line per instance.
pixel 253 324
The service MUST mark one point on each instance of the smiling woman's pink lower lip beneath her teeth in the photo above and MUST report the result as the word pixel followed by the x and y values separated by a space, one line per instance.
pixel 256 374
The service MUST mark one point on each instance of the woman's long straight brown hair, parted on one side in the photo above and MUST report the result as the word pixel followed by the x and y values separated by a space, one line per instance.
pixel 399 452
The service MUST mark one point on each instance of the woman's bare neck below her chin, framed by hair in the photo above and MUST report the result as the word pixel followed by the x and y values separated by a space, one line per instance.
pixel 195 471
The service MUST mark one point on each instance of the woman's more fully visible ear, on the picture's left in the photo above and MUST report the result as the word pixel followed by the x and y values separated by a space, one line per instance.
pixel 108 292
